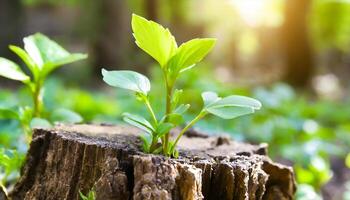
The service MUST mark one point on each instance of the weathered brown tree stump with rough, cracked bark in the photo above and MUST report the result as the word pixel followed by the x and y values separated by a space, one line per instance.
pixel 67 159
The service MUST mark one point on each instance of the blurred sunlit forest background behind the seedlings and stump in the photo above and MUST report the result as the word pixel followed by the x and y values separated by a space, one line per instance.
pixel 292 55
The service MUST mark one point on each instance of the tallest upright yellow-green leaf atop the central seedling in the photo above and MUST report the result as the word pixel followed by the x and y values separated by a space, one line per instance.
pixel 154 39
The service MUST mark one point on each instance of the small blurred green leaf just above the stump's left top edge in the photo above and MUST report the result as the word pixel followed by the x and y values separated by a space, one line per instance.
pixel 65 115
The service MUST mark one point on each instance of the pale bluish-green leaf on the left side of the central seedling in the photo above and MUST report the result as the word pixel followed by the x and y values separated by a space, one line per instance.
pixel 129 80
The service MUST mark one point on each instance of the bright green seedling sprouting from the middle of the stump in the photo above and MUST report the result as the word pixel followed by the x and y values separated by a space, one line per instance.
pixel 160 44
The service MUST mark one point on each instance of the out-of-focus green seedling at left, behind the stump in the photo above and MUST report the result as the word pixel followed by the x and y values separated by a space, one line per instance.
pixel 41 56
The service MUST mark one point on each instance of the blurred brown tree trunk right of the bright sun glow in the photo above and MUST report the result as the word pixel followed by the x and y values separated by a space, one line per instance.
pixel 296 45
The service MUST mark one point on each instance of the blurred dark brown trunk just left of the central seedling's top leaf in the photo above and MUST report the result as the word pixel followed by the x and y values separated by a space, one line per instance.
pixel 112 41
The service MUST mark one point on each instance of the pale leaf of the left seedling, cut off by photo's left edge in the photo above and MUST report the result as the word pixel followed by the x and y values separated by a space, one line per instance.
pixel 11 70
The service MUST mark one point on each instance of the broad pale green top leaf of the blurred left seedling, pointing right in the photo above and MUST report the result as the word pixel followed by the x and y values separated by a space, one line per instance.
pixel 47 54
